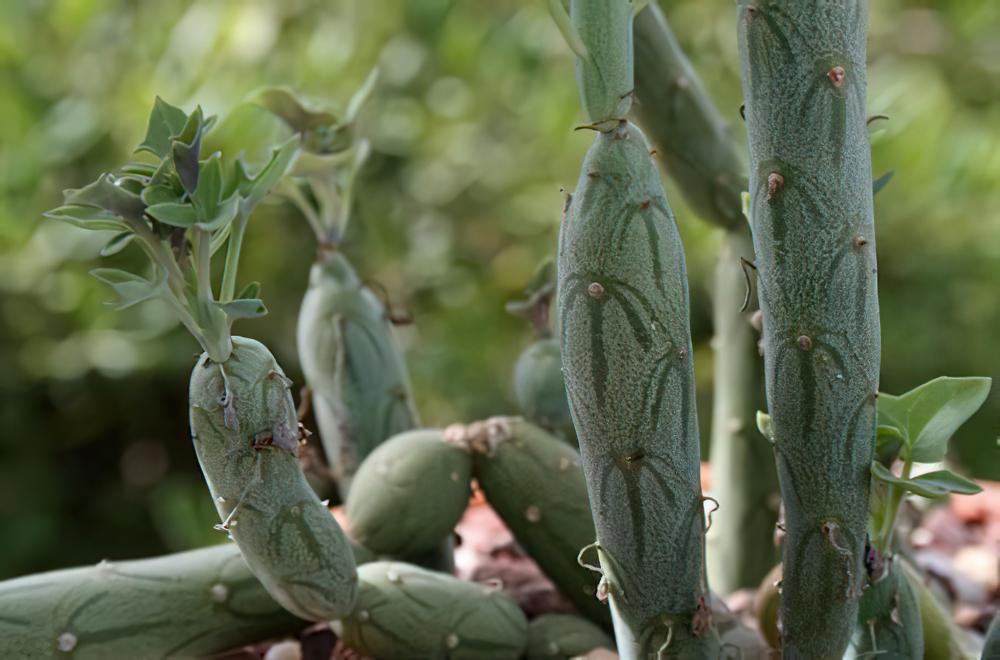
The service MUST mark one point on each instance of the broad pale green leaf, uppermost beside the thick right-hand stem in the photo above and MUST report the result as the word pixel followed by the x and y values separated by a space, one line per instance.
pixel 930 414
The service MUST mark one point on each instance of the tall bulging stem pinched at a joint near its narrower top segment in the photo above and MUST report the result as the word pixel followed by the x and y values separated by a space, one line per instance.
pixel 626 355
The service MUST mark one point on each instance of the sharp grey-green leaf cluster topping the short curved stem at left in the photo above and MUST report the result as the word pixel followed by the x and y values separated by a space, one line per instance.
pixel 181 207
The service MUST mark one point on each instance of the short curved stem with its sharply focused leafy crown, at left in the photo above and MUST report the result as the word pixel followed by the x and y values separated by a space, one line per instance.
pixel 181 210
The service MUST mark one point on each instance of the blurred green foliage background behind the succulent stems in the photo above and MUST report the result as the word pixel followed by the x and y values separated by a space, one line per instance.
pixel 471 128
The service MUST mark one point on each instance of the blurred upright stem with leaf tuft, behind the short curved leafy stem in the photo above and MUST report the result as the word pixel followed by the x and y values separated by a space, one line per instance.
pixel 352 363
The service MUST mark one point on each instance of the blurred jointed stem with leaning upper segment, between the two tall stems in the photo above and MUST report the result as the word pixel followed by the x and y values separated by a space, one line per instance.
pixel 701 156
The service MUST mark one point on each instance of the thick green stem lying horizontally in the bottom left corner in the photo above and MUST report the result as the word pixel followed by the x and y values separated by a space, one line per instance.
pixel 183 605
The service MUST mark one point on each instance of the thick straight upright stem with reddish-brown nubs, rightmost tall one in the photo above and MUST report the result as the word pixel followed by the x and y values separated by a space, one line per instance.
pixel 803 70
